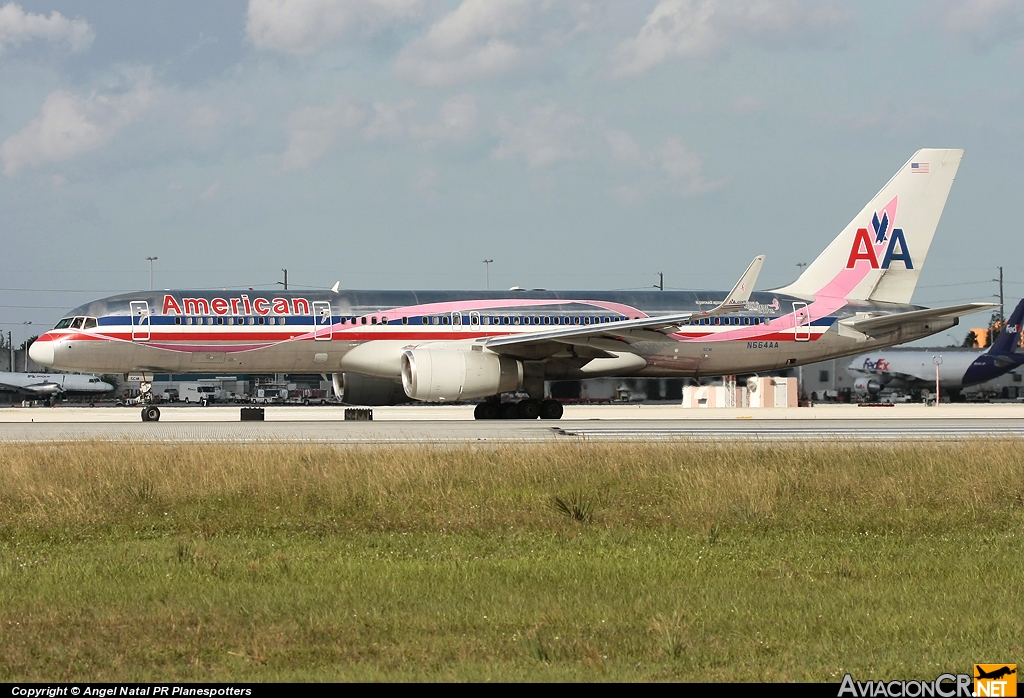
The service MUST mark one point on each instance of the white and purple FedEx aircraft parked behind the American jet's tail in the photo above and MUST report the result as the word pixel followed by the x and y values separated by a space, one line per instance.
pixel 916 370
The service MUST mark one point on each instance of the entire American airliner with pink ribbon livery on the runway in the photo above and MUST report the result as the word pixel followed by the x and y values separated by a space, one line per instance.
pixel 386 347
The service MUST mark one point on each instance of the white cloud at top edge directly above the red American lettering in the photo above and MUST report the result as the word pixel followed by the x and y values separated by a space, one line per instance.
pixel 304 26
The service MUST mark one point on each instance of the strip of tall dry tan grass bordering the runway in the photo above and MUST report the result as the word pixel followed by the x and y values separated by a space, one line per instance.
pixel 686 487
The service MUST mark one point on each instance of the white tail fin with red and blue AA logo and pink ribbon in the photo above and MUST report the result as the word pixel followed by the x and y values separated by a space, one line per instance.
pixel 879 256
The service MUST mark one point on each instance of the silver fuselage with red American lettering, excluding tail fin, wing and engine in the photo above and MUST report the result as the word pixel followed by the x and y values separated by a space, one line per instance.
pixel 365 332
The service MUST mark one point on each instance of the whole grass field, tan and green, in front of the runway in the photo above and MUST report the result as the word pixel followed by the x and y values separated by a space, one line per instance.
pixel 575 562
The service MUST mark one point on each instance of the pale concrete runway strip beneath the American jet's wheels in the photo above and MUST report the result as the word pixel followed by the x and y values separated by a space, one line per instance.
pixel 455 425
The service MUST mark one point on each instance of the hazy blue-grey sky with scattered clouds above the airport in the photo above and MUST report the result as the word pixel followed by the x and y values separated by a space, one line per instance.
pixel 579 145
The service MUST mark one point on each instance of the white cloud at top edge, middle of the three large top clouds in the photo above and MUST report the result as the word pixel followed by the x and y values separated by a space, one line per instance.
pixel 467 45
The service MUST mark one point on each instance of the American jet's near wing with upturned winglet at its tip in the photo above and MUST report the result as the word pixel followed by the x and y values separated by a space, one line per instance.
pixel 736 300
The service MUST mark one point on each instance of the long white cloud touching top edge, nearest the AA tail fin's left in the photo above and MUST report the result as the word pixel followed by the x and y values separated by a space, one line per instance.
pixel 700 28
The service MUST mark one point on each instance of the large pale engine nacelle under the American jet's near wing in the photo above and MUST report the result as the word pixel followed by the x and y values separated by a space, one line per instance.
pixel 448 375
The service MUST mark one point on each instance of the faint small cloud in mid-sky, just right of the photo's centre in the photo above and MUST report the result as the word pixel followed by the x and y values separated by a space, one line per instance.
pixel 547 139
